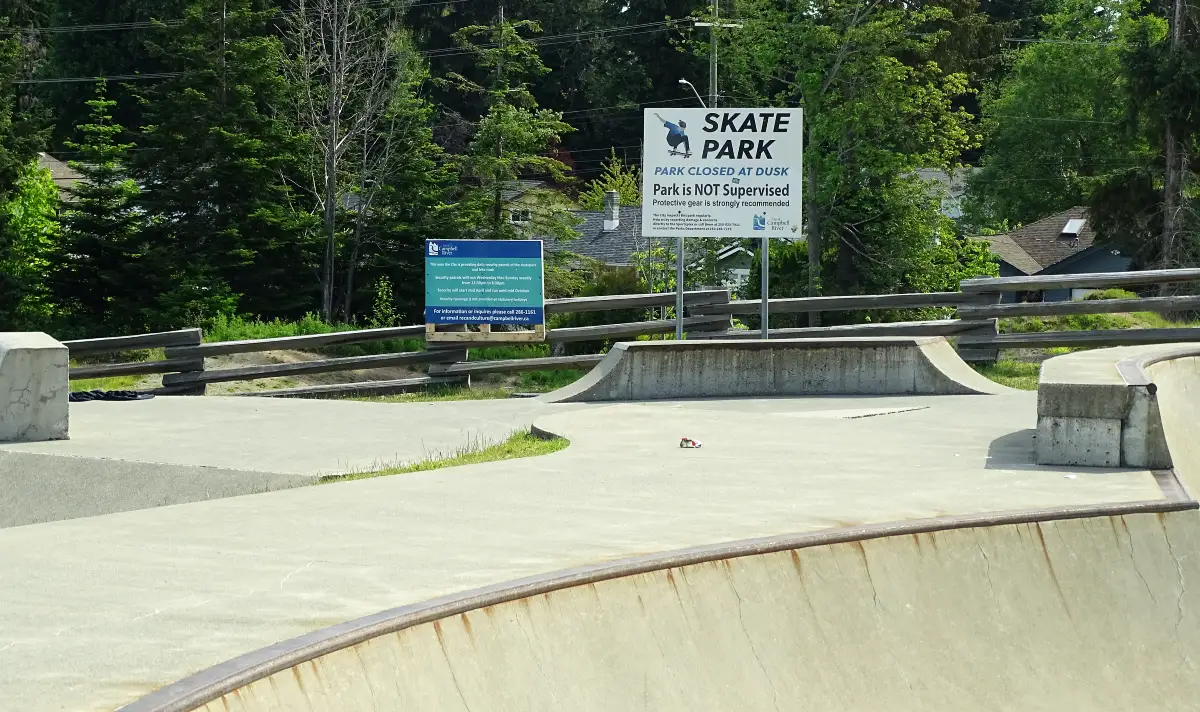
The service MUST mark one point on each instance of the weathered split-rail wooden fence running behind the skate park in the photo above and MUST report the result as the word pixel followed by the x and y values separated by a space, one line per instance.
pixel 974 330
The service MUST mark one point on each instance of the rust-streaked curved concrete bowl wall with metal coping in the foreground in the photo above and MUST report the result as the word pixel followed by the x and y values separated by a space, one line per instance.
pixel 1070 609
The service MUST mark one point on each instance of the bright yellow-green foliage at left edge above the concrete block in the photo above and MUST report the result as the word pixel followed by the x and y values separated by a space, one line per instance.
pixel 32 238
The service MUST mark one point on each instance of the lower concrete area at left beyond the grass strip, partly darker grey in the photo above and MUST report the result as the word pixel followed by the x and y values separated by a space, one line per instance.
pixel 171 451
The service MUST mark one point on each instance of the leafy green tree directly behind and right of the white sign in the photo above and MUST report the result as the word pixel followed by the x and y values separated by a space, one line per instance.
pixel 878 109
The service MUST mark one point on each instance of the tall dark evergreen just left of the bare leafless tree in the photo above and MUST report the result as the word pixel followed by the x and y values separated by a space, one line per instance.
pixel 223 232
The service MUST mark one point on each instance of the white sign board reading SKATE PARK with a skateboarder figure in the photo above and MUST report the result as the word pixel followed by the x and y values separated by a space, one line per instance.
pixel 723 173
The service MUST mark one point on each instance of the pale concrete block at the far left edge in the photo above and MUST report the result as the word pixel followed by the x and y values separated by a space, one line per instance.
pixel 34 387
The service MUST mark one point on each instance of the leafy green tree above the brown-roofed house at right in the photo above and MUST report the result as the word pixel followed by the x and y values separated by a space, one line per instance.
pixel 1055 123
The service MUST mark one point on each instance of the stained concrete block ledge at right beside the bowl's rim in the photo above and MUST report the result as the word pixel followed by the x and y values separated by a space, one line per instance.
pixel 1100 409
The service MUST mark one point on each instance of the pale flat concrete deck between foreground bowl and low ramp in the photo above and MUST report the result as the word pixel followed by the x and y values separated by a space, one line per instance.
pixel 110 608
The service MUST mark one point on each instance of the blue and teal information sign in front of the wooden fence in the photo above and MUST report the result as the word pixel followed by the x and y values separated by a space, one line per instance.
pixel 484 283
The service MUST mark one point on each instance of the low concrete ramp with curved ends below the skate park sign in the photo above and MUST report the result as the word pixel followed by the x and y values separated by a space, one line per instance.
pixel 657 370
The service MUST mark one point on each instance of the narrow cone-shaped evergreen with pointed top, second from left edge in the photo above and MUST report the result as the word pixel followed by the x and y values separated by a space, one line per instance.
pixel 101 280
